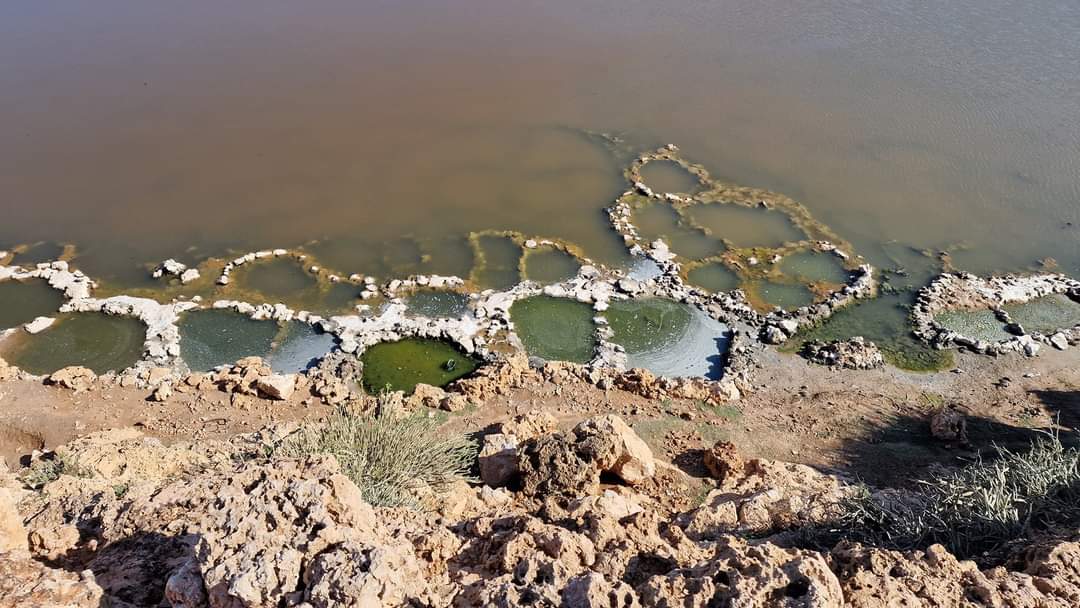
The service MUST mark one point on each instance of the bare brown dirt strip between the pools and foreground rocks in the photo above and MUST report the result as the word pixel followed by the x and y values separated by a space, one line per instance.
pixel 871 425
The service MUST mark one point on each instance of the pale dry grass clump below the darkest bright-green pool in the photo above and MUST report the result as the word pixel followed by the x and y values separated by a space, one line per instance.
pixel 393 461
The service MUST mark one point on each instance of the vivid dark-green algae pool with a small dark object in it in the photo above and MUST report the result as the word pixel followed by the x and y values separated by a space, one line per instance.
pixel 402 366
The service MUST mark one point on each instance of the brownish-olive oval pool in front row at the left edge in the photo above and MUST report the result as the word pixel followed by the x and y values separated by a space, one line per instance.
pixel 91 340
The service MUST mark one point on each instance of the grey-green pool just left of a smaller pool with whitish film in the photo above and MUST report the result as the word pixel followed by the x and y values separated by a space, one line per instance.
pixel 210 339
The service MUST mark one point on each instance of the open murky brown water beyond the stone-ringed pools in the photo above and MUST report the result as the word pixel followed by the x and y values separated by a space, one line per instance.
pixel 148 130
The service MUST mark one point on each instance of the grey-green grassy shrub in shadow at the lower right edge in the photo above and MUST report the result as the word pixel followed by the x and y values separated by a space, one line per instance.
pixel 974 511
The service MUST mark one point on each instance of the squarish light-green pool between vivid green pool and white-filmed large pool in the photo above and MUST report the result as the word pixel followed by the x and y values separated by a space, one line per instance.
pixel 556 329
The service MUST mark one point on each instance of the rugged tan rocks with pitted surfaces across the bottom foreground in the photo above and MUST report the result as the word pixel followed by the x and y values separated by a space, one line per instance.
pixel 577 518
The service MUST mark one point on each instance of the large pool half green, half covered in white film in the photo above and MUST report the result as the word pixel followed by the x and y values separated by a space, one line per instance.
pixel 669 339
